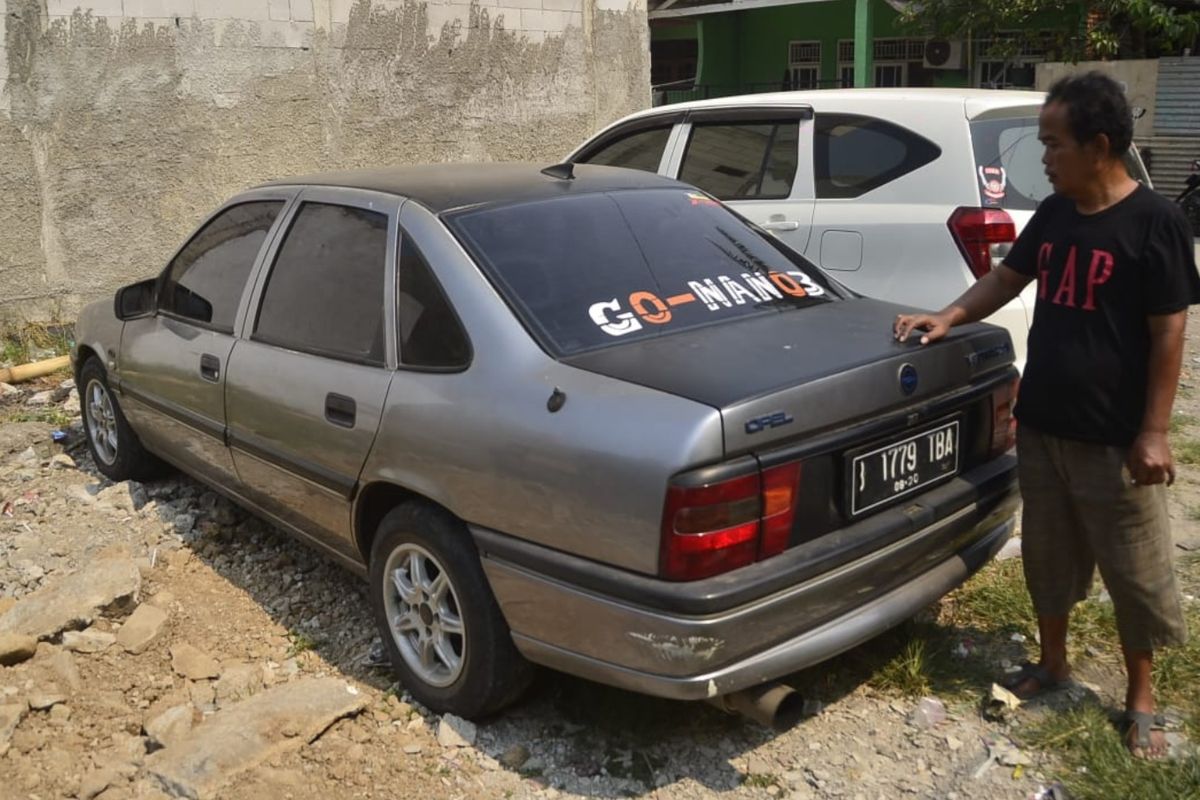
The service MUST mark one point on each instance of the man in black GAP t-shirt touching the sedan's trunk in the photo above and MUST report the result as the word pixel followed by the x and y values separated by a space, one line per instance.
pixel 1115 273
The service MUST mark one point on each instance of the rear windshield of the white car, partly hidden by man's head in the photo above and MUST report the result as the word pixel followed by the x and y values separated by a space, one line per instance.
pixel 1009 164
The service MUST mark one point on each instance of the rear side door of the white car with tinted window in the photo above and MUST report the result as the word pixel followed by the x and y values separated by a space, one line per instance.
pixel 758 161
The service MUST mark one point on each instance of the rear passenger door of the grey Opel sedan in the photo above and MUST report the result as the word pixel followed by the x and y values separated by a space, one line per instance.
pixel 308 384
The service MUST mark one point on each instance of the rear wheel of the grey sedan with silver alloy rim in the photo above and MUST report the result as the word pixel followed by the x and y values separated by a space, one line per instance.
pixel 440 623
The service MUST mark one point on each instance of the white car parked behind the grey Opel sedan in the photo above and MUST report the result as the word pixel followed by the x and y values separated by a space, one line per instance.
pixel 903 195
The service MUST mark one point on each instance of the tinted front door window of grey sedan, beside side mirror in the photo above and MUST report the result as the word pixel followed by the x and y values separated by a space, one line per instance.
pixel 206 280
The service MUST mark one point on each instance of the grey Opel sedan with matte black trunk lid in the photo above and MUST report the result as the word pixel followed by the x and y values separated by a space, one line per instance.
pixel 587 419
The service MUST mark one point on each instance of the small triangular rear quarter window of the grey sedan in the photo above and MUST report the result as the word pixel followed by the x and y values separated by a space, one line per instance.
pixel 430 332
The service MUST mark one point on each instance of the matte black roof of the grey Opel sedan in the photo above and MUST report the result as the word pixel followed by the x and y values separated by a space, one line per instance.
pixel 446 188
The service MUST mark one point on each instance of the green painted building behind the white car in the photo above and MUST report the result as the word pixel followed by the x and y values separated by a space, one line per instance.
pixel 704 49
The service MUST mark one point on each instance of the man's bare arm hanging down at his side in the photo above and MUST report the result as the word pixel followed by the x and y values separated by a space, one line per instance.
pixel 1150 458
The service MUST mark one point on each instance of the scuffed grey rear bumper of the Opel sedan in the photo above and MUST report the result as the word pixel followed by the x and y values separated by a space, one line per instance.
pixel 651 648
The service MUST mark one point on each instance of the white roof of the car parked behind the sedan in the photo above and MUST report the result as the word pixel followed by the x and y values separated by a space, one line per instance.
pixel 974 101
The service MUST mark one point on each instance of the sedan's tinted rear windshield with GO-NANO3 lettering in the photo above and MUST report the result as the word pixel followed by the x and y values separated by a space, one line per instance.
pixel 593 270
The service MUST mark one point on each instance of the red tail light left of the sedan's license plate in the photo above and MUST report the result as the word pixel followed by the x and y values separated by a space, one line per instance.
pixel 721 527
